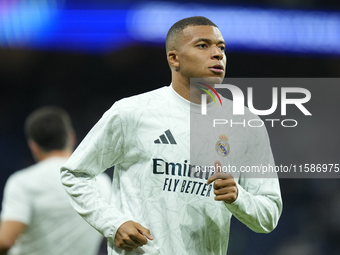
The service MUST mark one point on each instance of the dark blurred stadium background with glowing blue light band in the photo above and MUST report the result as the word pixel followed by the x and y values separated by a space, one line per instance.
pixel 85 55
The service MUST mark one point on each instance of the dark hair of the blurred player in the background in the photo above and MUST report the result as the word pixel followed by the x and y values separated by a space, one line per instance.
pixel 49 127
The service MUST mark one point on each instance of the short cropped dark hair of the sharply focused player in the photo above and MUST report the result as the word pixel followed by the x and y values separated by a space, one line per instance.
pixel 181 24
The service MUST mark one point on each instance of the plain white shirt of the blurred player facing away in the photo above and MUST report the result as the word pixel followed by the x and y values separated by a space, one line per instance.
pixel 35 197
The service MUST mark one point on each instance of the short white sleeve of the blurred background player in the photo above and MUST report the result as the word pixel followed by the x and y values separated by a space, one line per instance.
pixel 16 204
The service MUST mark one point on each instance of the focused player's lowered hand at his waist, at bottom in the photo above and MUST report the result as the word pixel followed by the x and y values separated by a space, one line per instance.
pixel 131 235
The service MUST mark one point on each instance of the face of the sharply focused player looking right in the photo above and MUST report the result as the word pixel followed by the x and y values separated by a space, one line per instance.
pixel 201 53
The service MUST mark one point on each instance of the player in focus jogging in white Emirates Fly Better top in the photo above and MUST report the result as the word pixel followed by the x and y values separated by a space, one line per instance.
pixel 159 205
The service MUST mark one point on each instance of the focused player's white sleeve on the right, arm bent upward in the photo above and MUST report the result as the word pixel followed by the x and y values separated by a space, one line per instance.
pixel 259 203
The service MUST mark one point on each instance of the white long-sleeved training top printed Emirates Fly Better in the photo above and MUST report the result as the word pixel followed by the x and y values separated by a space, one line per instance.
pixel 147 139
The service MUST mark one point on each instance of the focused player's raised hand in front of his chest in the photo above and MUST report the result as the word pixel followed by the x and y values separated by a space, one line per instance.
pixel 225 187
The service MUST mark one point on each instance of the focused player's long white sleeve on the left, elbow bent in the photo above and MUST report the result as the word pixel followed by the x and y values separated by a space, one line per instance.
pixel 101 148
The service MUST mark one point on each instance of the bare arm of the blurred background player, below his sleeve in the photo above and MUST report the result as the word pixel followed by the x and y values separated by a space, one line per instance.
pixel 9 233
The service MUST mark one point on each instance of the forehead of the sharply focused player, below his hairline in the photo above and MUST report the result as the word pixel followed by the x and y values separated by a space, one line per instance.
pixel 192 33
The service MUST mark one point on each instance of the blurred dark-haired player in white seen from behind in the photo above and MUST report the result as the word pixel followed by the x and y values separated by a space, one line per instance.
pixel 36 217
